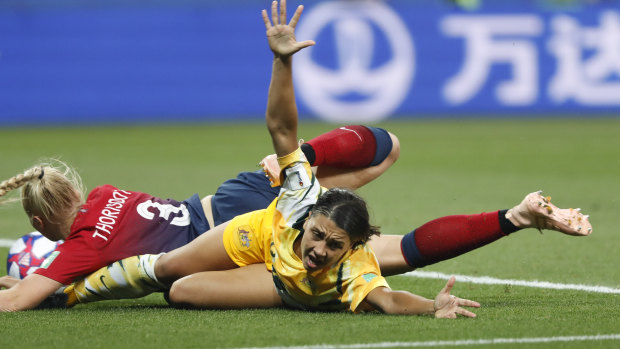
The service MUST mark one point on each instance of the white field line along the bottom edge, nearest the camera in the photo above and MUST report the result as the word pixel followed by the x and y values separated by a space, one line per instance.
pixel 464 342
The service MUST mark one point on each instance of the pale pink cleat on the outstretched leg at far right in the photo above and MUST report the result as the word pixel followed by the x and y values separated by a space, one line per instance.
pixel 536 211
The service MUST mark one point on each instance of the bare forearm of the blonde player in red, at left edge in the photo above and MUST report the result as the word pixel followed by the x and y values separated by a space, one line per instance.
pixel 28 293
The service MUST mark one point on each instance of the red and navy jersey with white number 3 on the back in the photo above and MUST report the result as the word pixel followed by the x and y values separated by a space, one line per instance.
pixel 114 224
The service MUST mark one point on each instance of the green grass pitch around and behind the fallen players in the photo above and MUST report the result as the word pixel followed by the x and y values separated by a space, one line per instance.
pixel 446 167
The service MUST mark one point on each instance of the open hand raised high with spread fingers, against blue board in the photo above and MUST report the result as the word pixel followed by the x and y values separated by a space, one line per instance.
pixel 281 36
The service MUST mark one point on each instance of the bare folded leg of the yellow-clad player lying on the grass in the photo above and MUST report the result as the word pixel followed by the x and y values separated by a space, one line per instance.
pixel 246 287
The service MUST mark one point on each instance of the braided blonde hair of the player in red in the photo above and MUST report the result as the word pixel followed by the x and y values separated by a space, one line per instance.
pixel 50 187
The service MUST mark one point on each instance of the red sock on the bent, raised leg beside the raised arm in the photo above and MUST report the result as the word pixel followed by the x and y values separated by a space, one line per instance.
pixel 348 147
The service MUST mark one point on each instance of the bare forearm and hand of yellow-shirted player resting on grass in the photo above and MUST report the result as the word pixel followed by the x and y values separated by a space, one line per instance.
pixel 405 303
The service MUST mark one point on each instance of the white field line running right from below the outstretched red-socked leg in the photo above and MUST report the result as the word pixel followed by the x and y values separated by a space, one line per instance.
pixel 487 280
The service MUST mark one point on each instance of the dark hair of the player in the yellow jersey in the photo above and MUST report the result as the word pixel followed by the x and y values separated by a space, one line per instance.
pixel 349 211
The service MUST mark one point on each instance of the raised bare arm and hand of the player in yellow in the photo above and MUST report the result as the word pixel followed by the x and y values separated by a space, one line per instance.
pixel 281 114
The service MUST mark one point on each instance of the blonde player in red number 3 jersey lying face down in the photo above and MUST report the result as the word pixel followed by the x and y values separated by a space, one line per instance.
pixel 113 224
